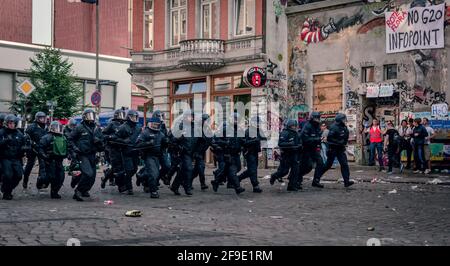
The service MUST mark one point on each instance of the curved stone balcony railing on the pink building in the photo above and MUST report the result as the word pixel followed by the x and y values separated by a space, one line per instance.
pixel 202 55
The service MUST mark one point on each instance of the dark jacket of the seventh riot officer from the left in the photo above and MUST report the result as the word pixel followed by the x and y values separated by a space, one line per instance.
pixel 151 142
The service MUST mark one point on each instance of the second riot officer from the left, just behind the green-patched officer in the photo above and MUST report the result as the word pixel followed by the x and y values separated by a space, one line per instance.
pixel 35 132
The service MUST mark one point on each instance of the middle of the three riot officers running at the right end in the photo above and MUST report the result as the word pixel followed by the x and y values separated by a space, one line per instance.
pixel 311 137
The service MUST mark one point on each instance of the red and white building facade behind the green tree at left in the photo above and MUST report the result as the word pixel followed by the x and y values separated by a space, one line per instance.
pixel 28 26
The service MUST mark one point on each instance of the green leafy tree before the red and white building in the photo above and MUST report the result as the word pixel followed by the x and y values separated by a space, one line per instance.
pixel 53 77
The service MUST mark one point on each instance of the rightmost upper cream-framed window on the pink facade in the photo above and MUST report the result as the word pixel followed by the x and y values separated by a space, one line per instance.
pixel 244 17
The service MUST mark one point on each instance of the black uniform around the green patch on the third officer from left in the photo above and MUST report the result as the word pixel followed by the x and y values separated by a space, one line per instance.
pixel 54 168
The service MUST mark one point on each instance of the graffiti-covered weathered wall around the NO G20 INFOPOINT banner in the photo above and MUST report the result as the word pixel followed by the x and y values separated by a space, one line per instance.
pixel 352 38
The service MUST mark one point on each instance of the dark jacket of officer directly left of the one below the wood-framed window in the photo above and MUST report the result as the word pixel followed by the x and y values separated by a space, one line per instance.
pixel 126 136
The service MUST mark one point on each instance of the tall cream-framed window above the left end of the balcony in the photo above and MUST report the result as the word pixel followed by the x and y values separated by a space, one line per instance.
pixel 178 21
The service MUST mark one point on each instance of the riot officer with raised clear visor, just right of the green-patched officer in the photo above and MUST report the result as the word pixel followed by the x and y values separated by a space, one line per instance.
pixel 86 140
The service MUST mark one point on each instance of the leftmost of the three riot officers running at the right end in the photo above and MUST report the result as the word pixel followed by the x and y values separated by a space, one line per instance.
pixel 289 144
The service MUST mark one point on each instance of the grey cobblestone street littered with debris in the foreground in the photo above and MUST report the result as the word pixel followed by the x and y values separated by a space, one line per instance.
pixel 397 210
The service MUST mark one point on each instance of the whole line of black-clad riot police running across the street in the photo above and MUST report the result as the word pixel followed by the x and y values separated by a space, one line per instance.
pixel 162 153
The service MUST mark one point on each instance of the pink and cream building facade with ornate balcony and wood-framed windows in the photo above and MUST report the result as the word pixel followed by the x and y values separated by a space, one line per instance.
pixel 201 48
